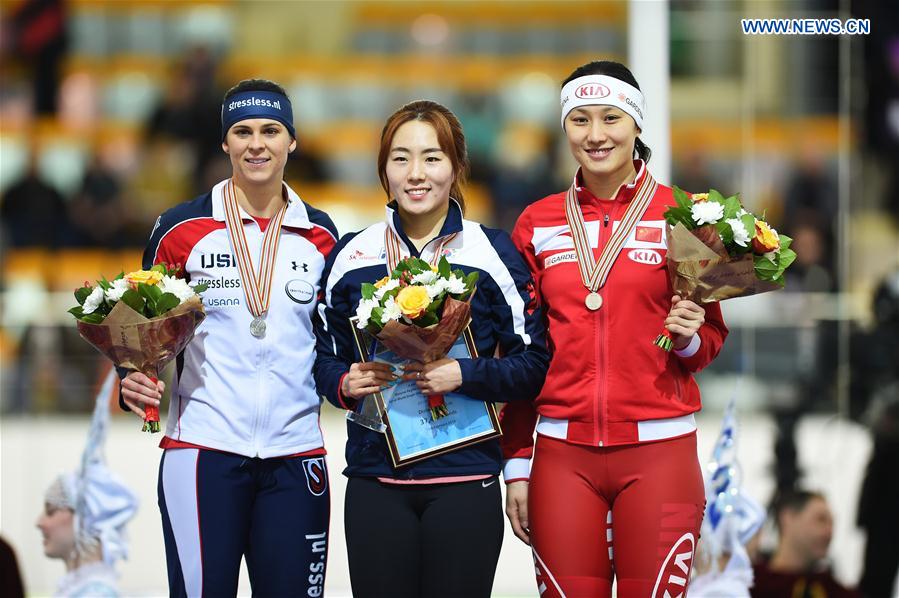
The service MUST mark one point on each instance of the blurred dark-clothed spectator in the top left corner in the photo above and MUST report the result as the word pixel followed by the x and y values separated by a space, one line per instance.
pixel 35 34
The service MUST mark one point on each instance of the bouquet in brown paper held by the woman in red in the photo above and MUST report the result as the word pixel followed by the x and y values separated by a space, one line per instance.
pixel 718 250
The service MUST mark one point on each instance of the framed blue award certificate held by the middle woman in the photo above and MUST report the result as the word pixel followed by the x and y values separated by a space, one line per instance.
pixel 412 434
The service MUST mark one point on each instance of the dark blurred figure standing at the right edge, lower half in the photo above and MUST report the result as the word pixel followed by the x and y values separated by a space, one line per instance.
pixel 875 384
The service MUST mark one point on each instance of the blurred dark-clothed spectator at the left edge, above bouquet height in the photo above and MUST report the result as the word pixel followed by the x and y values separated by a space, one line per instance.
pixel 34 214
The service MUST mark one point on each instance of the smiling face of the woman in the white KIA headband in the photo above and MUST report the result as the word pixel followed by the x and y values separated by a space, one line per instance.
pixel 601 139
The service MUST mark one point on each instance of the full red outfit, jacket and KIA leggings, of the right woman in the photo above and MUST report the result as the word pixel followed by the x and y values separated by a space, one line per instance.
pixel 616 488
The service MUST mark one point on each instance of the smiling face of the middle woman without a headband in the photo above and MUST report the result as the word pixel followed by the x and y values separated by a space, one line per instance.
pixel 419 174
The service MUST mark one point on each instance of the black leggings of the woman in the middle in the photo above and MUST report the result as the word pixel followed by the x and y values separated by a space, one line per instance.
pixel 429 540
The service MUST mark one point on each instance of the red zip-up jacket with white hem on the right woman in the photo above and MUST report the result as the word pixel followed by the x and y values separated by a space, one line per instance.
pixel 607 383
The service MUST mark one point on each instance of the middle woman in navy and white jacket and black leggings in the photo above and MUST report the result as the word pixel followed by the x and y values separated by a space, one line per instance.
pixel 433 528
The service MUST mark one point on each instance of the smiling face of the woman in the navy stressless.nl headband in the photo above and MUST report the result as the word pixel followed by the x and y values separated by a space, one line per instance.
pixel 258 148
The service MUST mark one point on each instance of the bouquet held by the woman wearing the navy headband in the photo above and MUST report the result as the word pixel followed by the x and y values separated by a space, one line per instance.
pixel 140 320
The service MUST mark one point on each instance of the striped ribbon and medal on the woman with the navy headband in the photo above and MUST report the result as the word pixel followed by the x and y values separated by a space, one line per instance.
pixel 257 287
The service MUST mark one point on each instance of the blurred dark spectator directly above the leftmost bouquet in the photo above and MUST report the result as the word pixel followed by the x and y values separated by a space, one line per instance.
pixel 97 213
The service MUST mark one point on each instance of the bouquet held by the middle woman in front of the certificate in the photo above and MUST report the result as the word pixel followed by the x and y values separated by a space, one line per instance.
pixel 418 312
